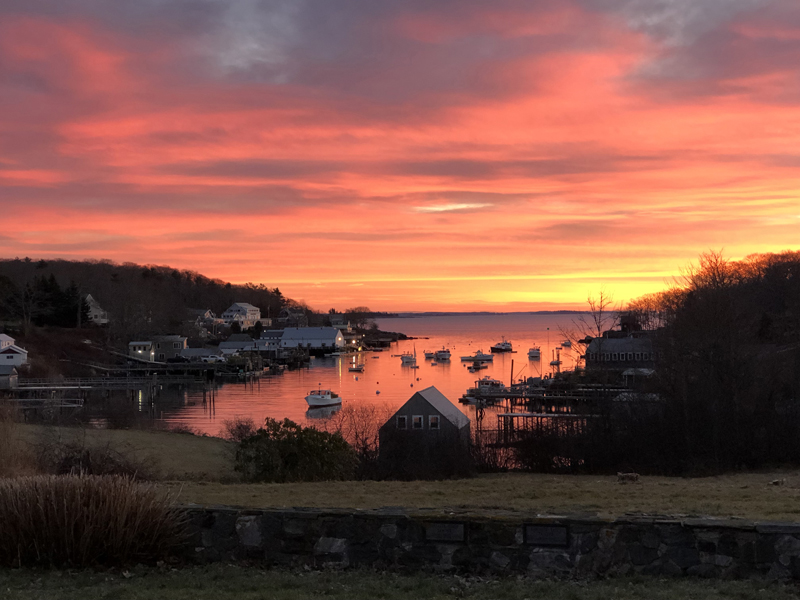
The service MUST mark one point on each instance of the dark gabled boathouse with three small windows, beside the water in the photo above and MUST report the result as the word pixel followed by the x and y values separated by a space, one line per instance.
pixel 427 438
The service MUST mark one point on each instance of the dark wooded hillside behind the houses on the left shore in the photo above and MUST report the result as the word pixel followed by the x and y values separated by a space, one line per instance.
pixel 140 299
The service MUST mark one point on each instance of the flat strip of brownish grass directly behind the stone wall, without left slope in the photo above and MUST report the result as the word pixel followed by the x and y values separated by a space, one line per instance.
pixel 745 495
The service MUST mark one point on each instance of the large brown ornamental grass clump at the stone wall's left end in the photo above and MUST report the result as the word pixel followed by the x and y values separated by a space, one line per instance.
pixel 82 521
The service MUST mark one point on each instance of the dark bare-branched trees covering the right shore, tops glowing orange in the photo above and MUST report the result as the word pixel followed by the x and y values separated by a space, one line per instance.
pixel 728 334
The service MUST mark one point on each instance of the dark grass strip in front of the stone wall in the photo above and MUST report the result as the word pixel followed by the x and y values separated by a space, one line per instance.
pixel 224 582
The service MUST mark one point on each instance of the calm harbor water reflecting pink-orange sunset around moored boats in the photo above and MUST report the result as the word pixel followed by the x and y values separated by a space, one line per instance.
pixel 283 396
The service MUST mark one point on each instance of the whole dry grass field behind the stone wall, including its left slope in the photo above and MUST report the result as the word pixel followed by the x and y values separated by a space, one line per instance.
pixel 199 470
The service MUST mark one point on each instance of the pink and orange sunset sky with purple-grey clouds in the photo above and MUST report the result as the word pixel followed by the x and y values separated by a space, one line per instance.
pixel 414 155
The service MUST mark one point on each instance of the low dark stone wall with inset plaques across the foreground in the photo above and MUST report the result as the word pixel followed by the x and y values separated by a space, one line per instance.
pixel 502 543
